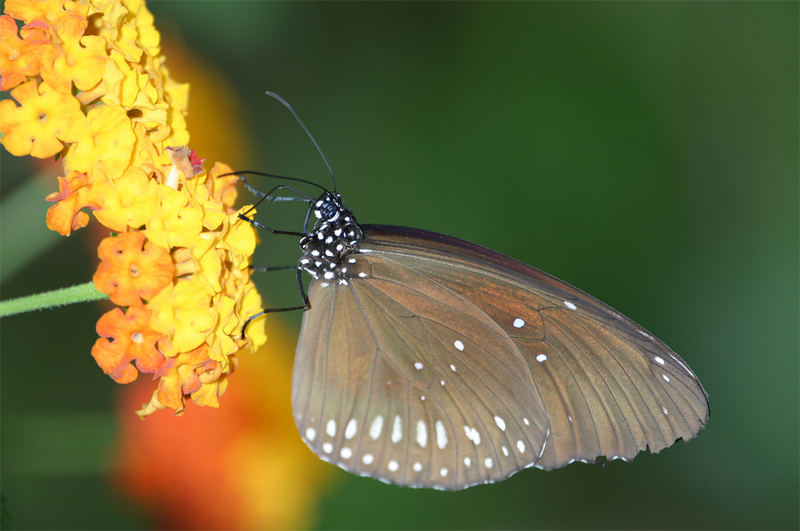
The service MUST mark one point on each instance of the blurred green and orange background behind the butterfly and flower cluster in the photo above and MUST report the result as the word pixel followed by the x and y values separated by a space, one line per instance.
pixel 645 152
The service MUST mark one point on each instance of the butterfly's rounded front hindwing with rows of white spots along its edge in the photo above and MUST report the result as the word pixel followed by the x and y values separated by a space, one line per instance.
pixel 400 379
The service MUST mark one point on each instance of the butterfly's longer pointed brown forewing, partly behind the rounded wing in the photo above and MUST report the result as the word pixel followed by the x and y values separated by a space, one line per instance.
pixel 610 387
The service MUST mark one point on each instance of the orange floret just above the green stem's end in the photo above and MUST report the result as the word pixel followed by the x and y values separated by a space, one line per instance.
pixel 132 270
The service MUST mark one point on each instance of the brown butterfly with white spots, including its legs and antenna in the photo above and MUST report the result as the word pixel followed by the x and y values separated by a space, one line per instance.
pixel 427 361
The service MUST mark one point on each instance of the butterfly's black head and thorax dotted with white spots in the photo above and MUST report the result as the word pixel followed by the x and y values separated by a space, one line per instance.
pixel 335 235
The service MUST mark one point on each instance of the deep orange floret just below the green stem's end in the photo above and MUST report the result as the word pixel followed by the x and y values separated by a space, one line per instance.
pixel 126 338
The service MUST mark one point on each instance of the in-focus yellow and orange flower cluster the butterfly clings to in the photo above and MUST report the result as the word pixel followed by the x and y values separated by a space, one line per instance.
pixel 90 86
